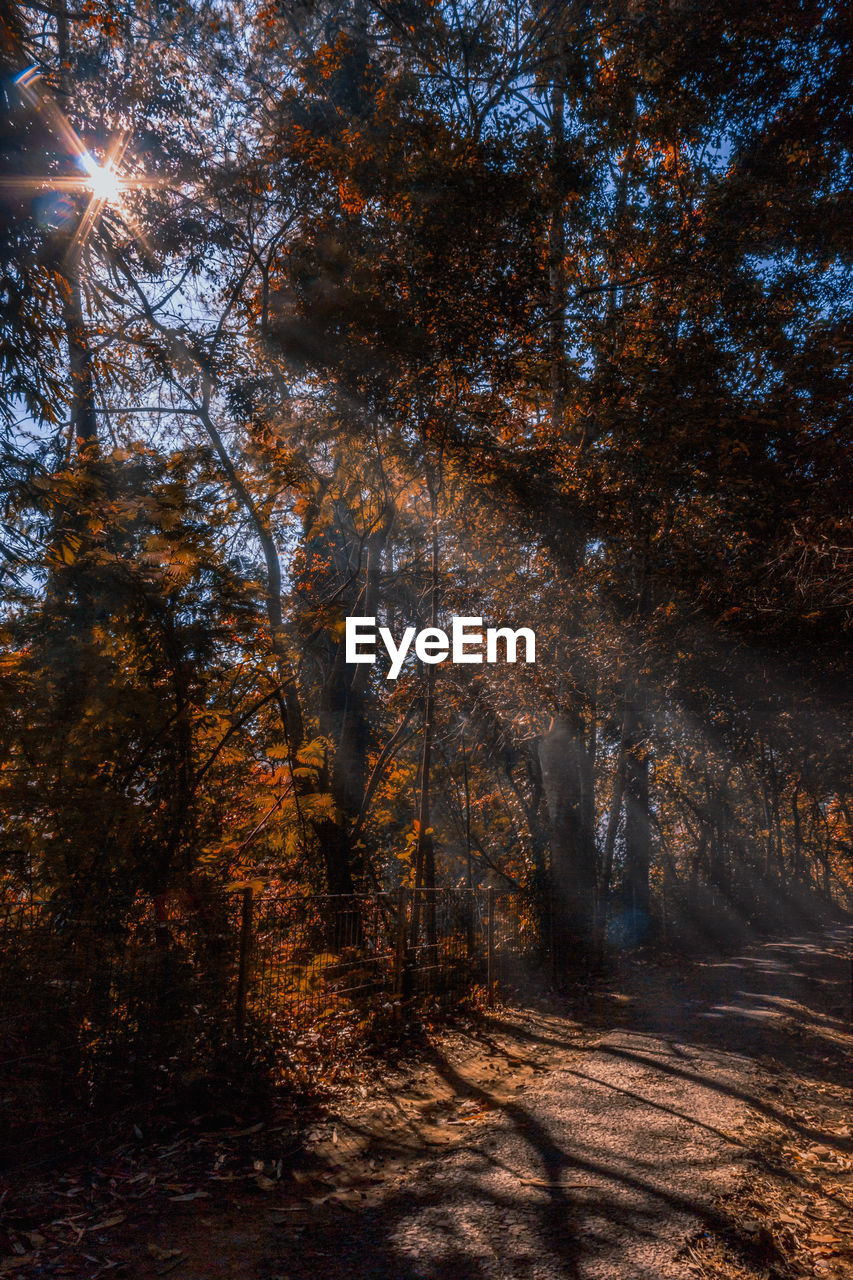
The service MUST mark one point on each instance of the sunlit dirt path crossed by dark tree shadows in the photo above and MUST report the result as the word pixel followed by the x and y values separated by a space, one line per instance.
pixel 610 1162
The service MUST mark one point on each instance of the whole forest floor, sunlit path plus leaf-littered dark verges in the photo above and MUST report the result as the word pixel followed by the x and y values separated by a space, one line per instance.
pixel 691 1121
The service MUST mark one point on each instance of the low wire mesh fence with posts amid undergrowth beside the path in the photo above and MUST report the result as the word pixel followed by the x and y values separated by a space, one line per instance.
pixel 125 1007
